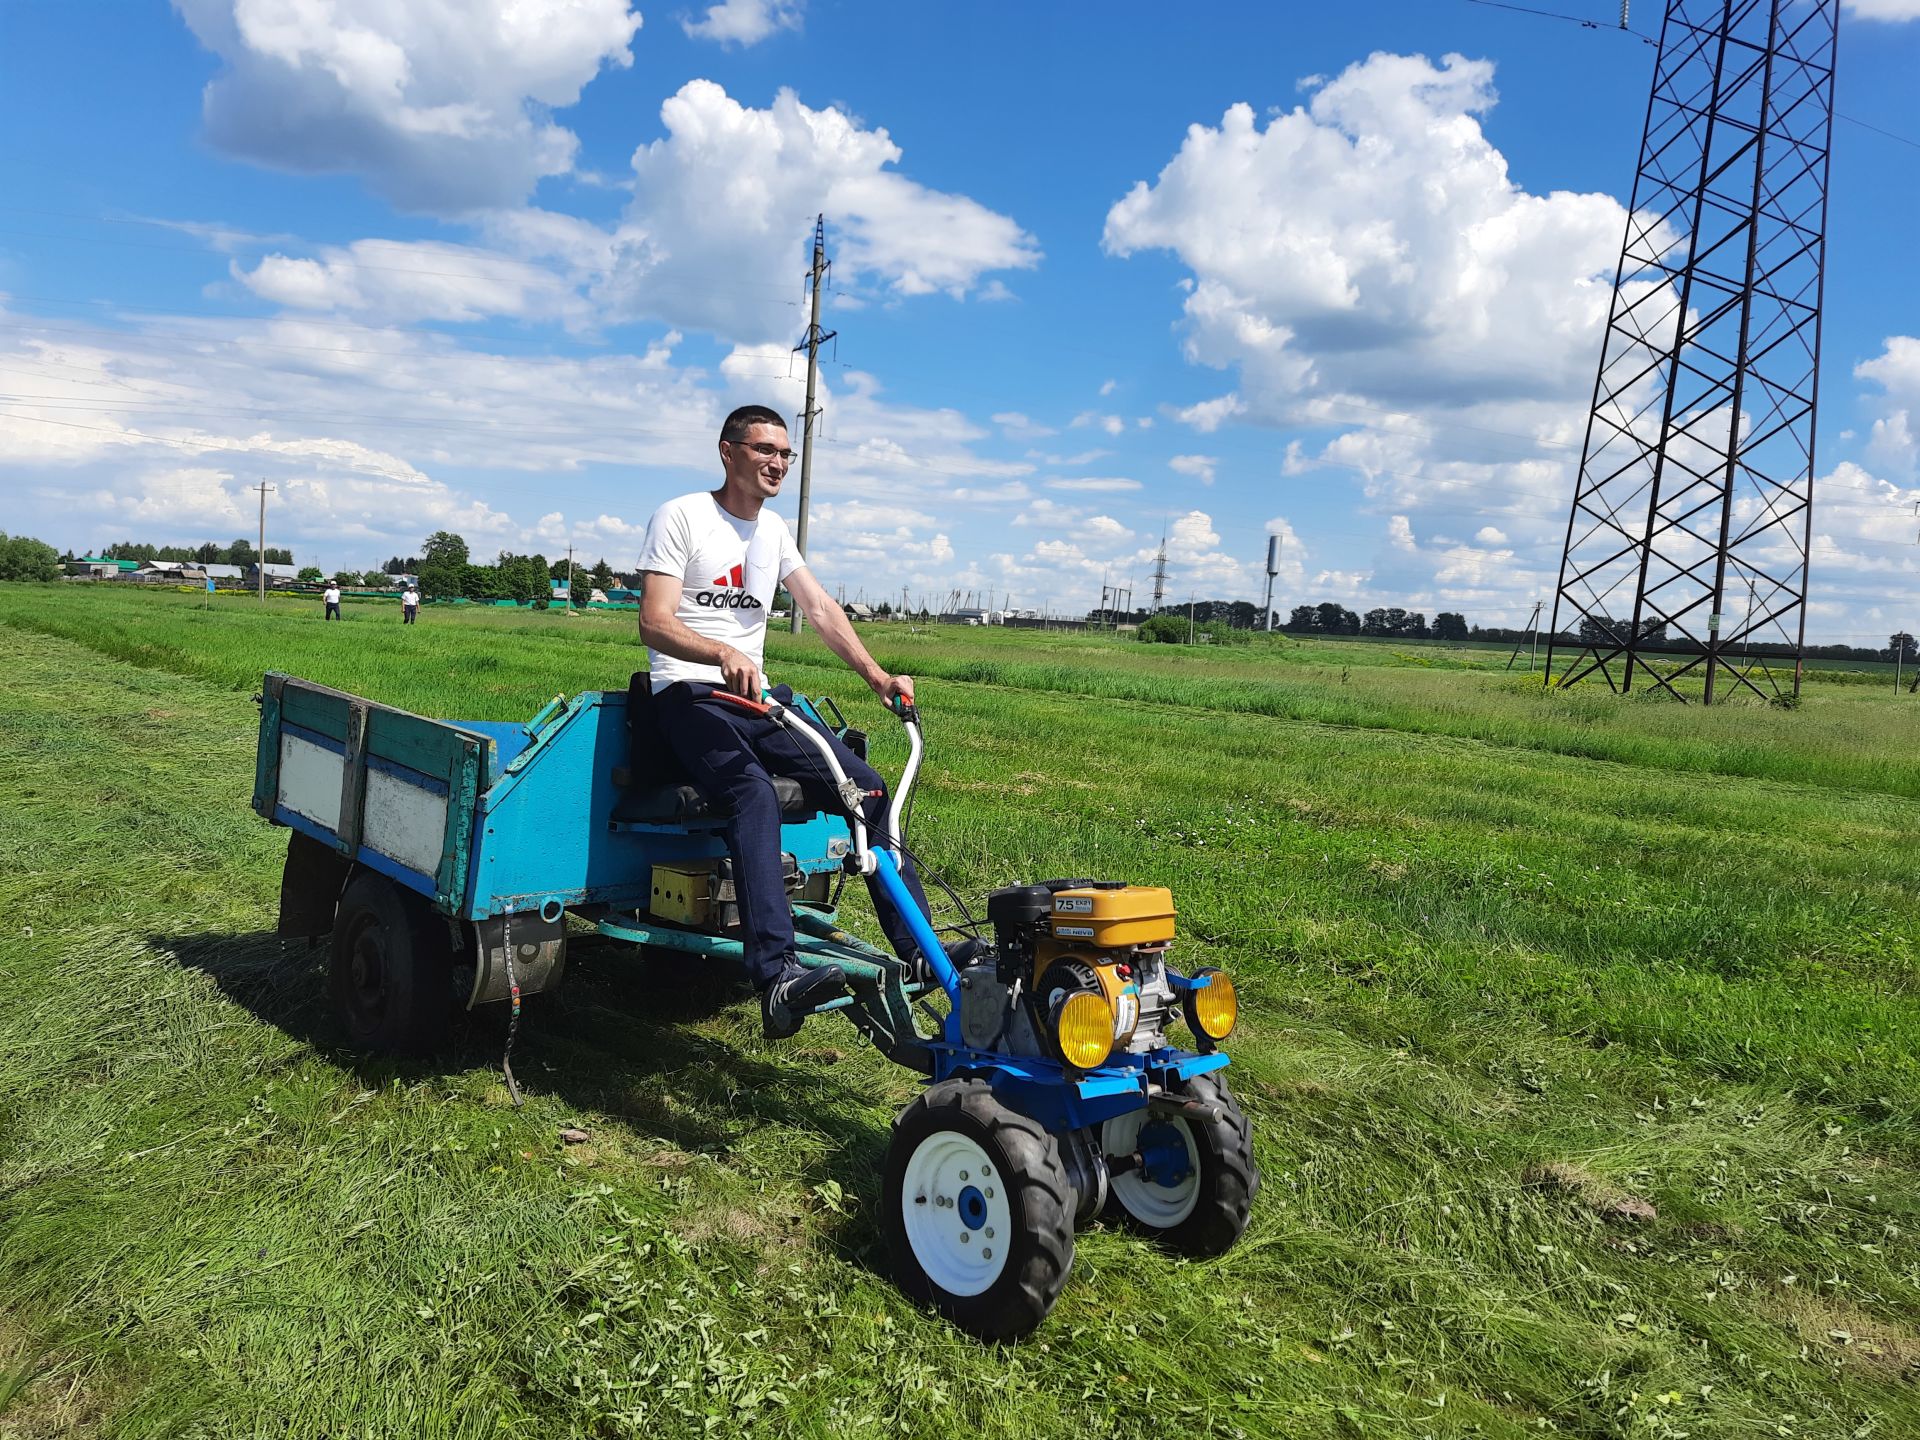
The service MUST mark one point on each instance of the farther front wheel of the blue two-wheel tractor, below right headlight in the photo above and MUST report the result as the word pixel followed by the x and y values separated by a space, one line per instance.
pixel 1197 1184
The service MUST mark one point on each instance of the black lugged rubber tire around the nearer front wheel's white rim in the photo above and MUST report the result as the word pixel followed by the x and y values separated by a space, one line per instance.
pixel 1038 1197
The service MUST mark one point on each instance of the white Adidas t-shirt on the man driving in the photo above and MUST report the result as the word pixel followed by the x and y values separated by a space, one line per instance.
pixel 729 571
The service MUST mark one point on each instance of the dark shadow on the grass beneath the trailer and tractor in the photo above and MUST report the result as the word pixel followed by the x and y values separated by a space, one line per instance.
pixel 625 1036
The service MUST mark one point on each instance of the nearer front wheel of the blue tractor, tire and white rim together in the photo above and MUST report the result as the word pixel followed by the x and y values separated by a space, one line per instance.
pixel 980 1212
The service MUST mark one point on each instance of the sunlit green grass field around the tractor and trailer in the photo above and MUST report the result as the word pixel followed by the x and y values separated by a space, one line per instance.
pixel 1510 967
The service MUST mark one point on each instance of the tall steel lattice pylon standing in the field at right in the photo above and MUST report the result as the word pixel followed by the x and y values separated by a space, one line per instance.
pixel 1692 516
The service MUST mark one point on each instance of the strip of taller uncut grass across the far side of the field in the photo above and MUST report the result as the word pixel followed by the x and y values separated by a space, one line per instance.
pixel 498 661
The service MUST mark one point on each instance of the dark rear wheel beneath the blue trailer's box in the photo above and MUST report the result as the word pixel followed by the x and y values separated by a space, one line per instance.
pixel 393 969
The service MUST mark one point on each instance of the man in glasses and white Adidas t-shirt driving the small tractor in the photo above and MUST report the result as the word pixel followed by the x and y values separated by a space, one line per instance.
pixel 711 565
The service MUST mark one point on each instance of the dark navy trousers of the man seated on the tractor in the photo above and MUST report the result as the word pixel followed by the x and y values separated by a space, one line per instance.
pixel 732 756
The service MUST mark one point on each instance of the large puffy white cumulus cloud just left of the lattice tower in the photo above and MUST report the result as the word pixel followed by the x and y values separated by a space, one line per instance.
pixel 1374 243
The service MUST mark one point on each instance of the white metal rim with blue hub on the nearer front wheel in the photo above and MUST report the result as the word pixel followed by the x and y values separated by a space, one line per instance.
pixel 959 1222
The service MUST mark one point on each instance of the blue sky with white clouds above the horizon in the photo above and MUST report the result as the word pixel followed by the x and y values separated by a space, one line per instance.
pixel 502 268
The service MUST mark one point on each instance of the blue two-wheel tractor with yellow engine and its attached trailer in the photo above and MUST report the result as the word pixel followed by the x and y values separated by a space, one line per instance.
pixel 448 863
